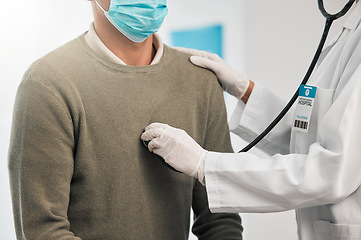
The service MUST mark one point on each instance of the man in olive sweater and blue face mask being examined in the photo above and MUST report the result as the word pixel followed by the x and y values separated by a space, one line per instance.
pixel 77 167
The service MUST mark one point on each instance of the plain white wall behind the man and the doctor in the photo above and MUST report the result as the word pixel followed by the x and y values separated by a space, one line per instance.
pixel 271 41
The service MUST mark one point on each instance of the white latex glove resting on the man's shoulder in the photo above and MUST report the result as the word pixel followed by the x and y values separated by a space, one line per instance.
pixel 232 82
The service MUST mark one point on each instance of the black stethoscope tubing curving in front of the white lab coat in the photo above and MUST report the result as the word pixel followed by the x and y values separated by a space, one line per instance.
pixel 329 20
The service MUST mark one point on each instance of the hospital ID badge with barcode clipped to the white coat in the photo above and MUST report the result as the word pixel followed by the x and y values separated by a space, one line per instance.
pixel 305 101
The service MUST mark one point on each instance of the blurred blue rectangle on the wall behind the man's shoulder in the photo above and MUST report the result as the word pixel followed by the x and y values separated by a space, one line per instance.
pixel 207 38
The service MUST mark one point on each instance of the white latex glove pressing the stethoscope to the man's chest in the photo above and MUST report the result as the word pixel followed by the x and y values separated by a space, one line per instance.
pixel 177 148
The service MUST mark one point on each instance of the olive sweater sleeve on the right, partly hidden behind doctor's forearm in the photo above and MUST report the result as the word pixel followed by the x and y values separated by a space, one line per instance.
pixel 208 225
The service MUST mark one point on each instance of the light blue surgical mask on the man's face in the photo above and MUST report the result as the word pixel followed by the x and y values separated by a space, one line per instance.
pixel 136 19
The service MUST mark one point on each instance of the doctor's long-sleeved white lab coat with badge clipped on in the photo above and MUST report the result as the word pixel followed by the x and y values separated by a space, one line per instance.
pixel 319 172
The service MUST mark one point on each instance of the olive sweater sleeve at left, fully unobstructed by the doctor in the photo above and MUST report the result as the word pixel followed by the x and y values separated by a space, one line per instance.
pixel 41 163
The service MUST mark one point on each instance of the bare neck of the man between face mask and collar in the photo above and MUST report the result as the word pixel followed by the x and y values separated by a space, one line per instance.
pixel 131 53
